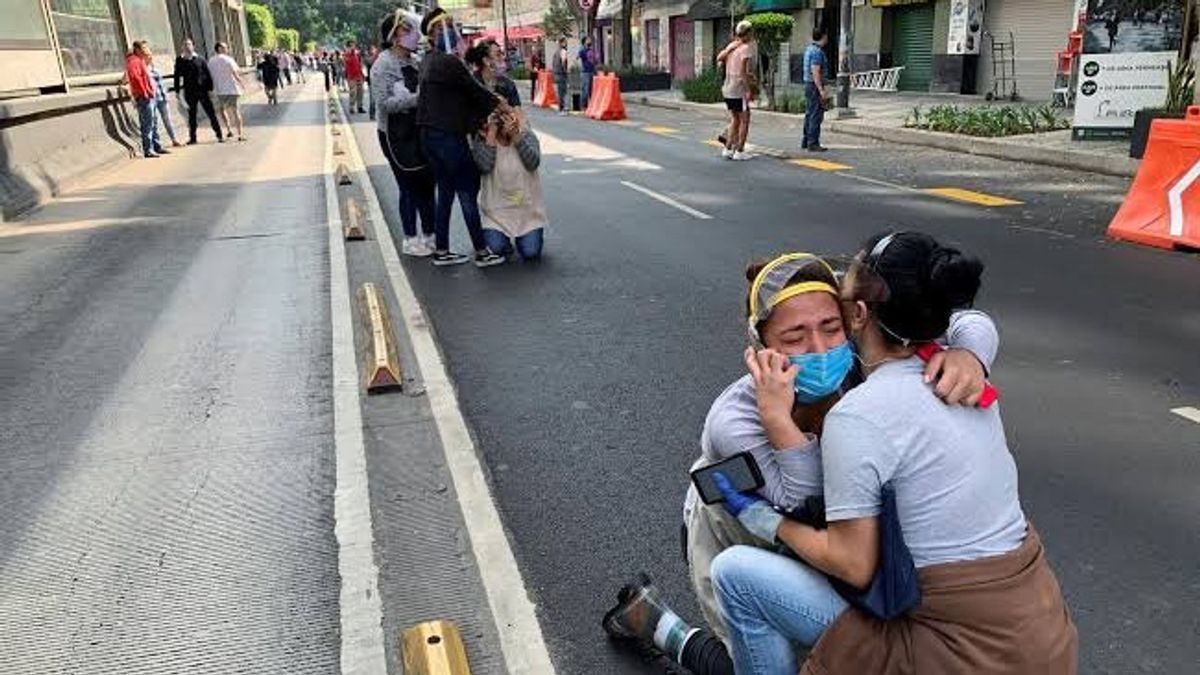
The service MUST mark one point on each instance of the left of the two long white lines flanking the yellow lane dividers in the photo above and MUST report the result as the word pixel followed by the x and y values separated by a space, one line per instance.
pixel 363 648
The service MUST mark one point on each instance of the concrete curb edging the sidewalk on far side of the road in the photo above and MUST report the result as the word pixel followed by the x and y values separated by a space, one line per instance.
pixel 1078 160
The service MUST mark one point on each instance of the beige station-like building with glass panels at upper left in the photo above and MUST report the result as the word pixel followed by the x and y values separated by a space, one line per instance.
pixel 53 45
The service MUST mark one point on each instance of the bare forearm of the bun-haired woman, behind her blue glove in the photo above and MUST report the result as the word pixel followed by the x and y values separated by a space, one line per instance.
pixel 849 549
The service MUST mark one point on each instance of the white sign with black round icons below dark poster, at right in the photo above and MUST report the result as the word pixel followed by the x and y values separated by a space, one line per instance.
pixel 1114 87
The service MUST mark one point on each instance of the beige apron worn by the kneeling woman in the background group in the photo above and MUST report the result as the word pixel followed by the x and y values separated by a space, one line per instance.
pixel 511 198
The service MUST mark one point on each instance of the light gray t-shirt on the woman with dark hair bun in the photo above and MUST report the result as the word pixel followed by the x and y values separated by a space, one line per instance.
pixel 955 479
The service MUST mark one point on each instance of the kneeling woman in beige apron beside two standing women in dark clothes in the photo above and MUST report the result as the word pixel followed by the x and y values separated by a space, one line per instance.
pixel 508 157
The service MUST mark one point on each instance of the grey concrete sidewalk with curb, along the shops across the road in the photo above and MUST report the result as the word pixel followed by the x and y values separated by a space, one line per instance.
pixel 883 116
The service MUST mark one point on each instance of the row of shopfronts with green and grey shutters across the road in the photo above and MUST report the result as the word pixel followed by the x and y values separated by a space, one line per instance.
pixel 683 37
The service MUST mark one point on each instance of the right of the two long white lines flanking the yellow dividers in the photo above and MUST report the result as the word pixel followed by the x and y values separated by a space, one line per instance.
pixel 517 620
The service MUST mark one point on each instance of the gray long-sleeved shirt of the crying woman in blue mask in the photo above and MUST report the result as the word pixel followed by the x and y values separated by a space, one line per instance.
pixel 734 426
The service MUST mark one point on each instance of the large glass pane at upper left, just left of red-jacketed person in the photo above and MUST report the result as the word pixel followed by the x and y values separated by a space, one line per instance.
pixel 89 37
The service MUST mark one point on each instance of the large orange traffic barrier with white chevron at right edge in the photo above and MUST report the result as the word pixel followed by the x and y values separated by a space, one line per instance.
pixel 1163 206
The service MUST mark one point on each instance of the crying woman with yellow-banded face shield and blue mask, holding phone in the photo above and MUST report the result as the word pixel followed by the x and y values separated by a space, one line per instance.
pixel 799 363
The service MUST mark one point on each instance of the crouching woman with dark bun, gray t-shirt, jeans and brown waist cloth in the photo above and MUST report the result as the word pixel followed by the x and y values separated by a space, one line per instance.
pixel 991 601
